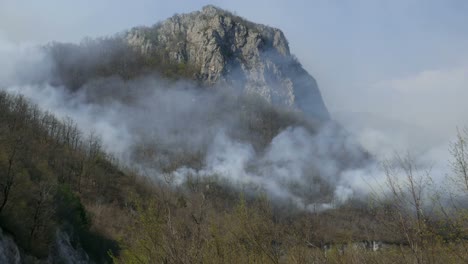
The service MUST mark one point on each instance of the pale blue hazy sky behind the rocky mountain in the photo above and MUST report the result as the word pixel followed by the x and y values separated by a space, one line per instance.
pixel 406 60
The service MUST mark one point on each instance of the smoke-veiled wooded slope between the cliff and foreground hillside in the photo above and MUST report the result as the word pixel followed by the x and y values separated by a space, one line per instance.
pixel 165 126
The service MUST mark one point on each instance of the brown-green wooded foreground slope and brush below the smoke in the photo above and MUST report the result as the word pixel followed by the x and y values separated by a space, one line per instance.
pixel 54 178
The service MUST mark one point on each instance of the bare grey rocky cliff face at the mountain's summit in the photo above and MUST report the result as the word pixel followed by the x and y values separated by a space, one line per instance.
pixel 226 49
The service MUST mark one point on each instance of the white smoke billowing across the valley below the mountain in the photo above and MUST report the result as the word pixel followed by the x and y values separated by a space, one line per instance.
pixel 293 167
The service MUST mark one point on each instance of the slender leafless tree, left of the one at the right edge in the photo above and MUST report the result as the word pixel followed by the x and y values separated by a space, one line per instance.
pixel 406 189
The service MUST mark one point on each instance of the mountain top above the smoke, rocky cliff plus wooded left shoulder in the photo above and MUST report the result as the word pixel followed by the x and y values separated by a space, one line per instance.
pixel 212 47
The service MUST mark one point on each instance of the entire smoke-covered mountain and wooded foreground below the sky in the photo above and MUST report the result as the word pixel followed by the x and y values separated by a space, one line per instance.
pixel 201 139
